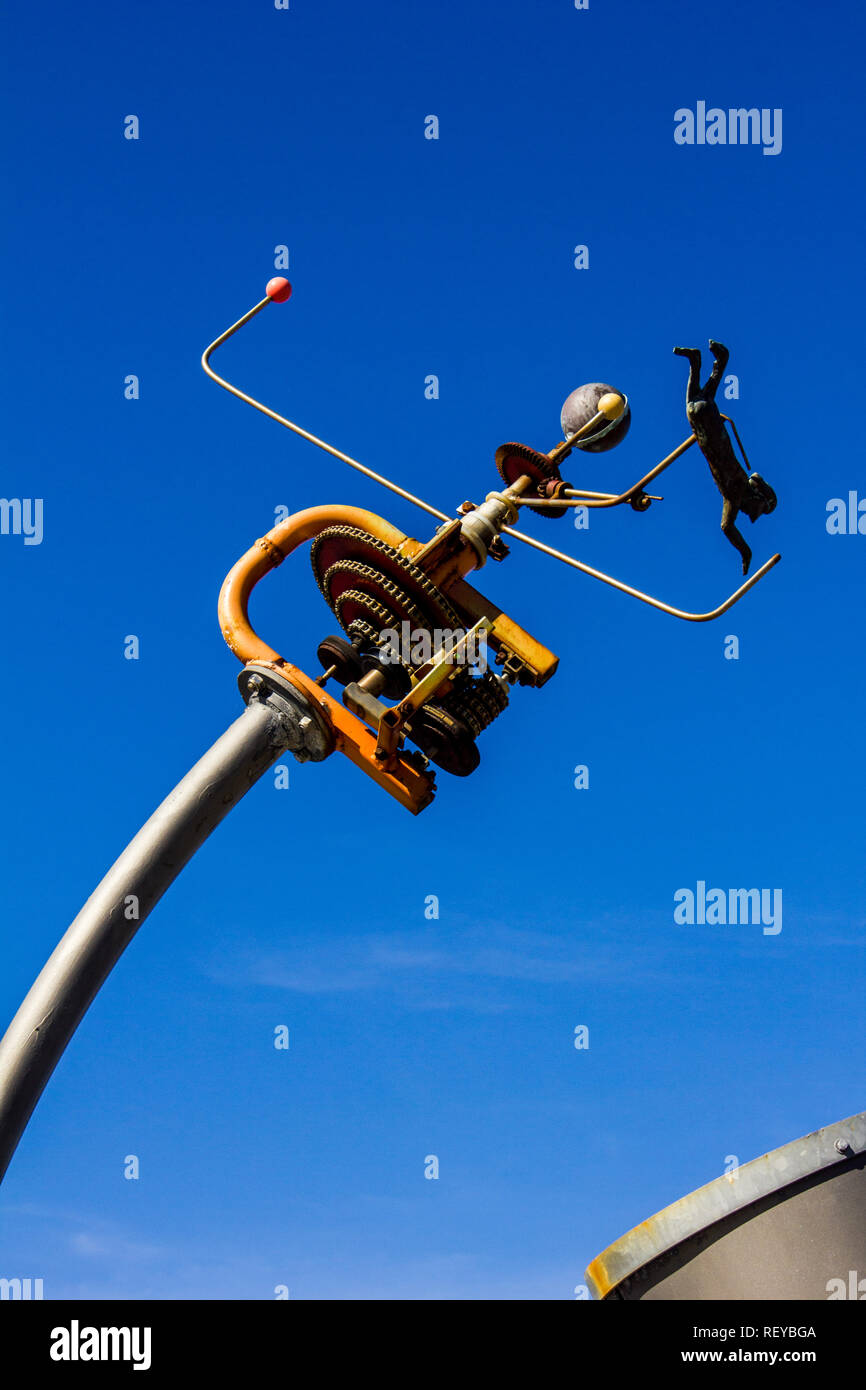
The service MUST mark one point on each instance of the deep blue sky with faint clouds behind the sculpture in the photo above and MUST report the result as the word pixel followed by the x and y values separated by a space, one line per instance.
pixel 409 256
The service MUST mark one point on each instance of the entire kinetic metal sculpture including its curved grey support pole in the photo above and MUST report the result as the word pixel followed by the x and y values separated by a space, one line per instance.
pixel 377 582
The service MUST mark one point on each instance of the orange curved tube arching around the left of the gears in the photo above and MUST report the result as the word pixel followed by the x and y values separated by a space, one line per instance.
pixel 272 551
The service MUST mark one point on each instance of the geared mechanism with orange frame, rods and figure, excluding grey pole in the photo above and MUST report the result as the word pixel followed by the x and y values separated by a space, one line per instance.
pixel 377 582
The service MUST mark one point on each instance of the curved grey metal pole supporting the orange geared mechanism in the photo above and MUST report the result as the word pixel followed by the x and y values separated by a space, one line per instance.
pixel 104 929
